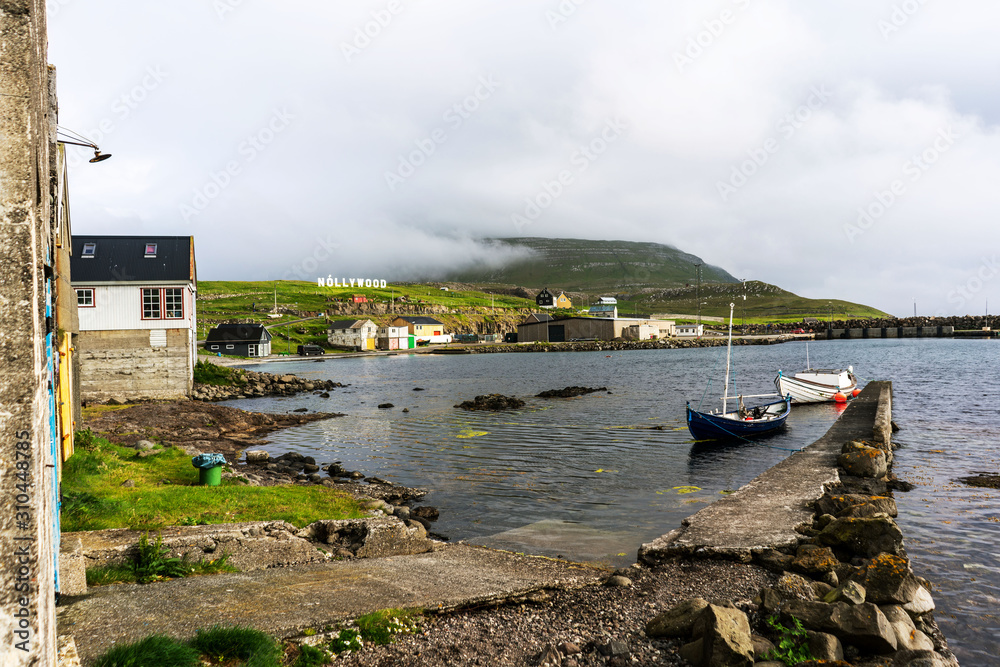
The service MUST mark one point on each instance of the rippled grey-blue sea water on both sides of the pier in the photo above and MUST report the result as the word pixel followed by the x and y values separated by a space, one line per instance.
pixel 589 478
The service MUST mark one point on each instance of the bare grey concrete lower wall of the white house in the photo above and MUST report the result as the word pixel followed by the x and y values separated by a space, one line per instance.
pixel 123 365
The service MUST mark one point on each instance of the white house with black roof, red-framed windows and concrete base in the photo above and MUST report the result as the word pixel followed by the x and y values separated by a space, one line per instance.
pixel 136 303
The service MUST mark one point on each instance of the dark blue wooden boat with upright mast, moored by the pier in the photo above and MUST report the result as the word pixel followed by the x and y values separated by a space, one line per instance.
pixel 742 423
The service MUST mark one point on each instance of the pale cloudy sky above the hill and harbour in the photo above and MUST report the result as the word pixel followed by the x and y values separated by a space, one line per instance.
pixel 839 150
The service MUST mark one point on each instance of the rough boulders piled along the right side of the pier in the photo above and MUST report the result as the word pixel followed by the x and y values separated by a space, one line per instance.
pixel 846 577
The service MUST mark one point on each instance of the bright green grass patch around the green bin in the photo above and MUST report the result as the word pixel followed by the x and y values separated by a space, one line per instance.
pixel 165 493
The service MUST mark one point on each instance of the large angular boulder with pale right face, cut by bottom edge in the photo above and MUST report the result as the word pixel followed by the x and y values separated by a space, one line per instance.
pixel 722 639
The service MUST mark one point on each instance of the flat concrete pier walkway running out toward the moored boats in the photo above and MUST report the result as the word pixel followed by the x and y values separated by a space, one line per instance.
pixel 764 514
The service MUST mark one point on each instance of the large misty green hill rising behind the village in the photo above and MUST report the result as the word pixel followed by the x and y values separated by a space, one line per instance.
pixel 596 266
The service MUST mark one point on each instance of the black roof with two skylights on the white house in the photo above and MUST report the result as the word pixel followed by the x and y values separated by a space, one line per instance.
pixel 123 259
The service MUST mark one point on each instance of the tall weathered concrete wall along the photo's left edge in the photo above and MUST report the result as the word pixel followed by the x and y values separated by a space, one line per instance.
pixel 27 588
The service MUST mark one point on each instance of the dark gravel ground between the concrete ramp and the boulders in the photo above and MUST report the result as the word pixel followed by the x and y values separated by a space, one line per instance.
pixel 517 632
